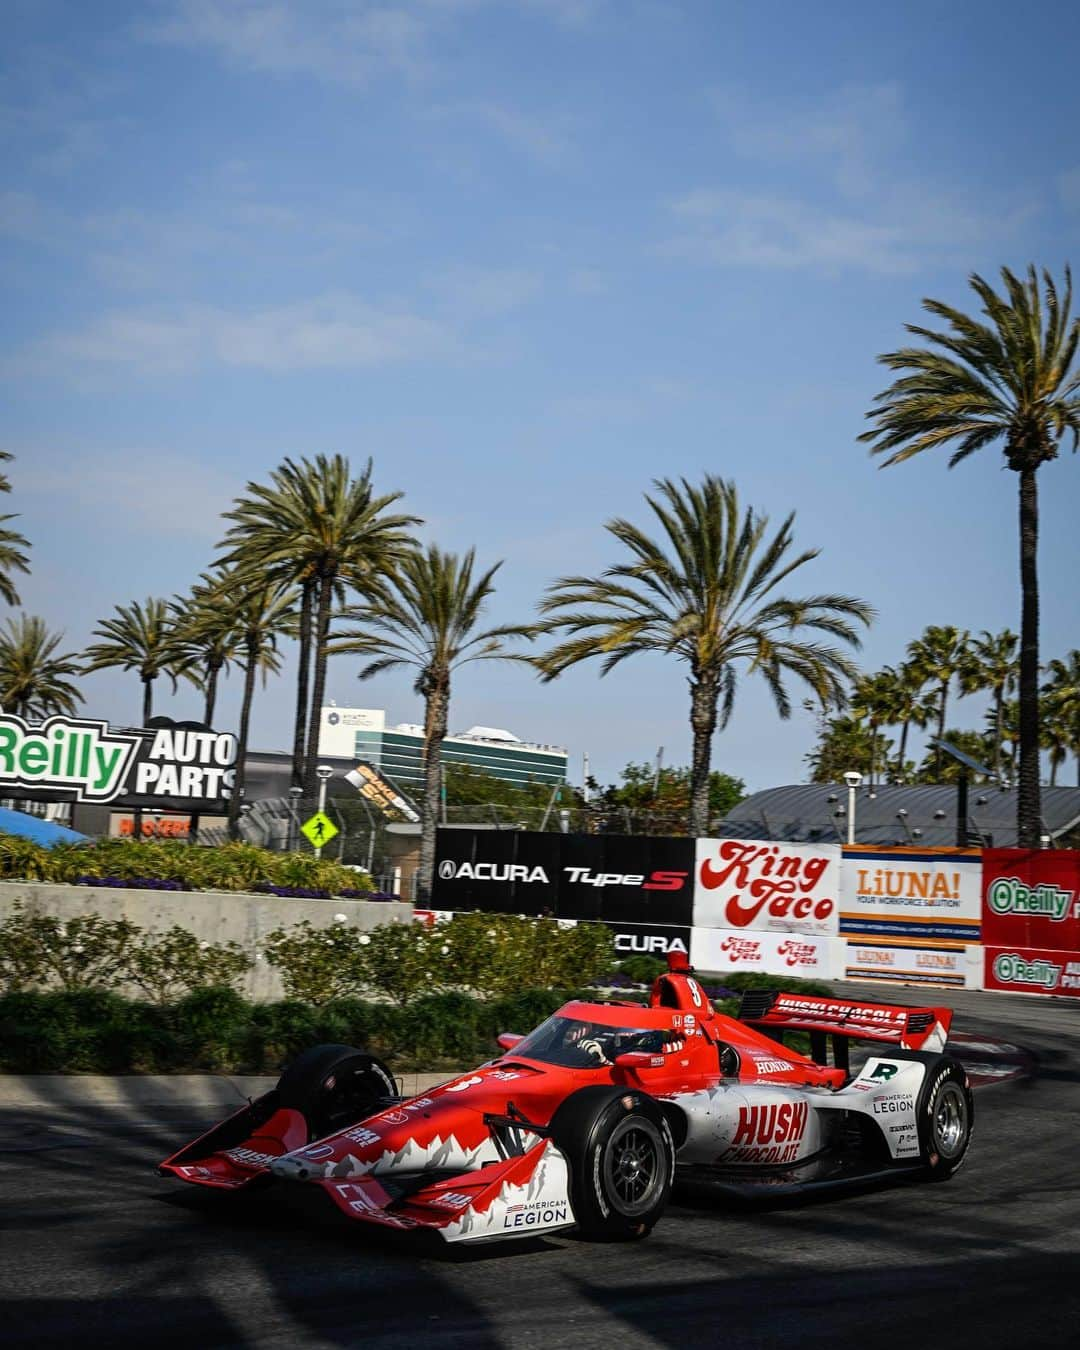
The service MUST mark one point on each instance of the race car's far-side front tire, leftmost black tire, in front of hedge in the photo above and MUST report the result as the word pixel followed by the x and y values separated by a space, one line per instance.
pixel 335 1086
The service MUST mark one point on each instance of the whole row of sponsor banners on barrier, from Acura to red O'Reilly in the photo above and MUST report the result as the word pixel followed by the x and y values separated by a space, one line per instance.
pixel 963 919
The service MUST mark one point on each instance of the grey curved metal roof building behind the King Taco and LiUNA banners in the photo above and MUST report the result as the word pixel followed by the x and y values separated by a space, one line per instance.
pixel 889 815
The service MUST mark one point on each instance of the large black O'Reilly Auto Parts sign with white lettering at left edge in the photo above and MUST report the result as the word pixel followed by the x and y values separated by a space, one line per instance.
pixel 167 765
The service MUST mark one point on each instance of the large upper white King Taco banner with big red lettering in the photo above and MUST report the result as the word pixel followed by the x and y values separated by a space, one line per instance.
pixel 757 885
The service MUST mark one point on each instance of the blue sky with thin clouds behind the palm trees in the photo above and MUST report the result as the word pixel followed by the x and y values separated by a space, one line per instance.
pixel 529 256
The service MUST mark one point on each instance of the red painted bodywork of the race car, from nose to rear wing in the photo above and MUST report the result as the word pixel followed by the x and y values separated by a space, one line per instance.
pixel 446 1136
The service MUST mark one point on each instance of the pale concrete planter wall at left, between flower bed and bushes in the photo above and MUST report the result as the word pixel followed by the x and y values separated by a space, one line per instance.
pixel 211 916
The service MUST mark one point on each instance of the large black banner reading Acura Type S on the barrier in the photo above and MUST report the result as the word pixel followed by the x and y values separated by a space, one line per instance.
pixel 619 880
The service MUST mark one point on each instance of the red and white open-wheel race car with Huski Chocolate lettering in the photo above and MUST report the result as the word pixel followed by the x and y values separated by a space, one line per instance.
pixel 588 1121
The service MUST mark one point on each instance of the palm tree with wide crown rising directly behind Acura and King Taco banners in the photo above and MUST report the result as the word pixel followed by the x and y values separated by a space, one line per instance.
pixel 707 593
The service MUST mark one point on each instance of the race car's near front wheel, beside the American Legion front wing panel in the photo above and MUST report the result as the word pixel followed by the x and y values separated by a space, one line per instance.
pixel 622 1160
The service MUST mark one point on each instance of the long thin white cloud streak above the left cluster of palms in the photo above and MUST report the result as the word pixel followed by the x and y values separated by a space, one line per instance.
pixel 333 333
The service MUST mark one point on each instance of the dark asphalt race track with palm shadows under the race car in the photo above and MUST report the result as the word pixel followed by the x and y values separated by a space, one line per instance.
pixel 99 1252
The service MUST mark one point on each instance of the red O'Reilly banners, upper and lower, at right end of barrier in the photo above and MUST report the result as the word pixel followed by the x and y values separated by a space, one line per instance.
pixel 1032 921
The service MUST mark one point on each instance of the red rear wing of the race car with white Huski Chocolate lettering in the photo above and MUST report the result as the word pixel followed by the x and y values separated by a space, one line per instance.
pixel 911 1029
